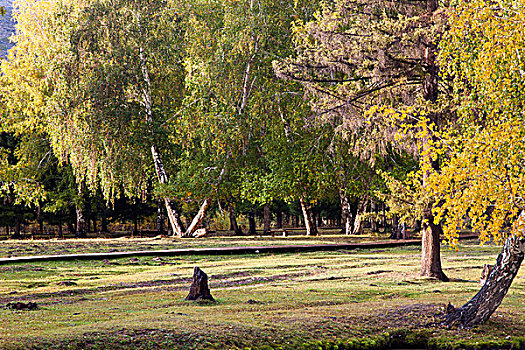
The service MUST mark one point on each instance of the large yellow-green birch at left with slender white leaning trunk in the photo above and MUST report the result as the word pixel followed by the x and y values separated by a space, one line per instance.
pixel 101 77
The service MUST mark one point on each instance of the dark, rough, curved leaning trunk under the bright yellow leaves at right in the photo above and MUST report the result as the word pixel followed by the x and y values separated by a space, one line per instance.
pixel 486 301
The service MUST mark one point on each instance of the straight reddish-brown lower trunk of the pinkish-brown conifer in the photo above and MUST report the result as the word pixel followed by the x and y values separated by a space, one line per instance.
pixel 430 249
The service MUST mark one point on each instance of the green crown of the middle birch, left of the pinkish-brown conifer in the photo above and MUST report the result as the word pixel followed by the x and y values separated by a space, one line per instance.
pixel 235 102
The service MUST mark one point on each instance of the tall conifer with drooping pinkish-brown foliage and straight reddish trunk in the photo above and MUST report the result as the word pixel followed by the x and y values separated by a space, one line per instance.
pixel 361 54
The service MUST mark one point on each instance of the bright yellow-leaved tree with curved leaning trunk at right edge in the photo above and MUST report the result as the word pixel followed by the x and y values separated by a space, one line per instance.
pixel 483 176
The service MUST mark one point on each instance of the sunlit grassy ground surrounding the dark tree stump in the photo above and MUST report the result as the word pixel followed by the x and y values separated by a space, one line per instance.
pixel 316 300
